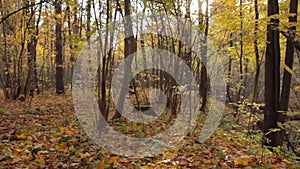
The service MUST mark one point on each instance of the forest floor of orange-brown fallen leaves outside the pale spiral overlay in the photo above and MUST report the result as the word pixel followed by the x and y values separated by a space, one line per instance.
pixel 47 134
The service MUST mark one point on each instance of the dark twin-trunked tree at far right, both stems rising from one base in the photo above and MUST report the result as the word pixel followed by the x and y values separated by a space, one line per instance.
pixel 277 105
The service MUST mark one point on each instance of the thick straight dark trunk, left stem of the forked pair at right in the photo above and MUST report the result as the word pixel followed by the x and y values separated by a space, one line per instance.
pixel 272 77
